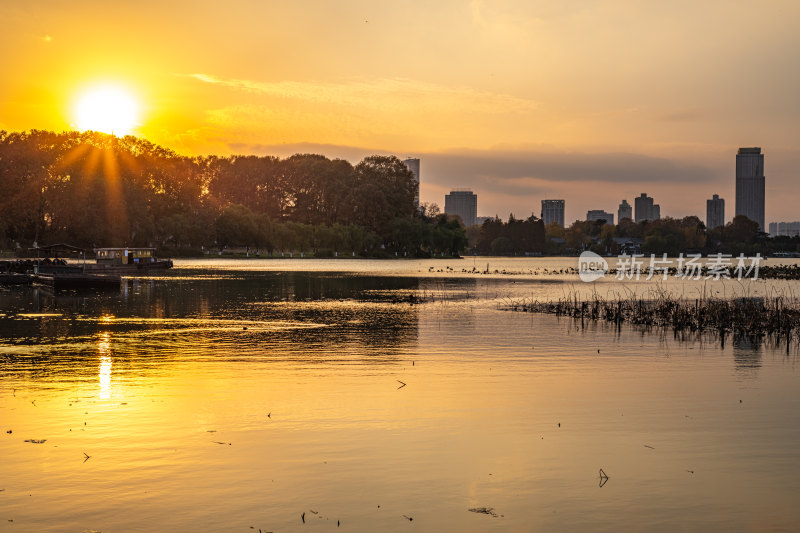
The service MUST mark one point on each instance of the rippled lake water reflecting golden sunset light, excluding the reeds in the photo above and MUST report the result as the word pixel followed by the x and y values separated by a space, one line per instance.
pixel 289 395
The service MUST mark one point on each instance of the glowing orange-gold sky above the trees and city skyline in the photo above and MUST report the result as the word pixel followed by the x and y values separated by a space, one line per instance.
pixel 589 101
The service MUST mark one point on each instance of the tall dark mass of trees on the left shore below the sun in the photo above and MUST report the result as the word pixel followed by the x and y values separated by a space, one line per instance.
pixel 92 190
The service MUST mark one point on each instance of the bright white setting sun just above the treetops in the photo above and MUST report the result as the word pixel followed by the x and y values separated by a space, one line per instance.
pixel 107 108
